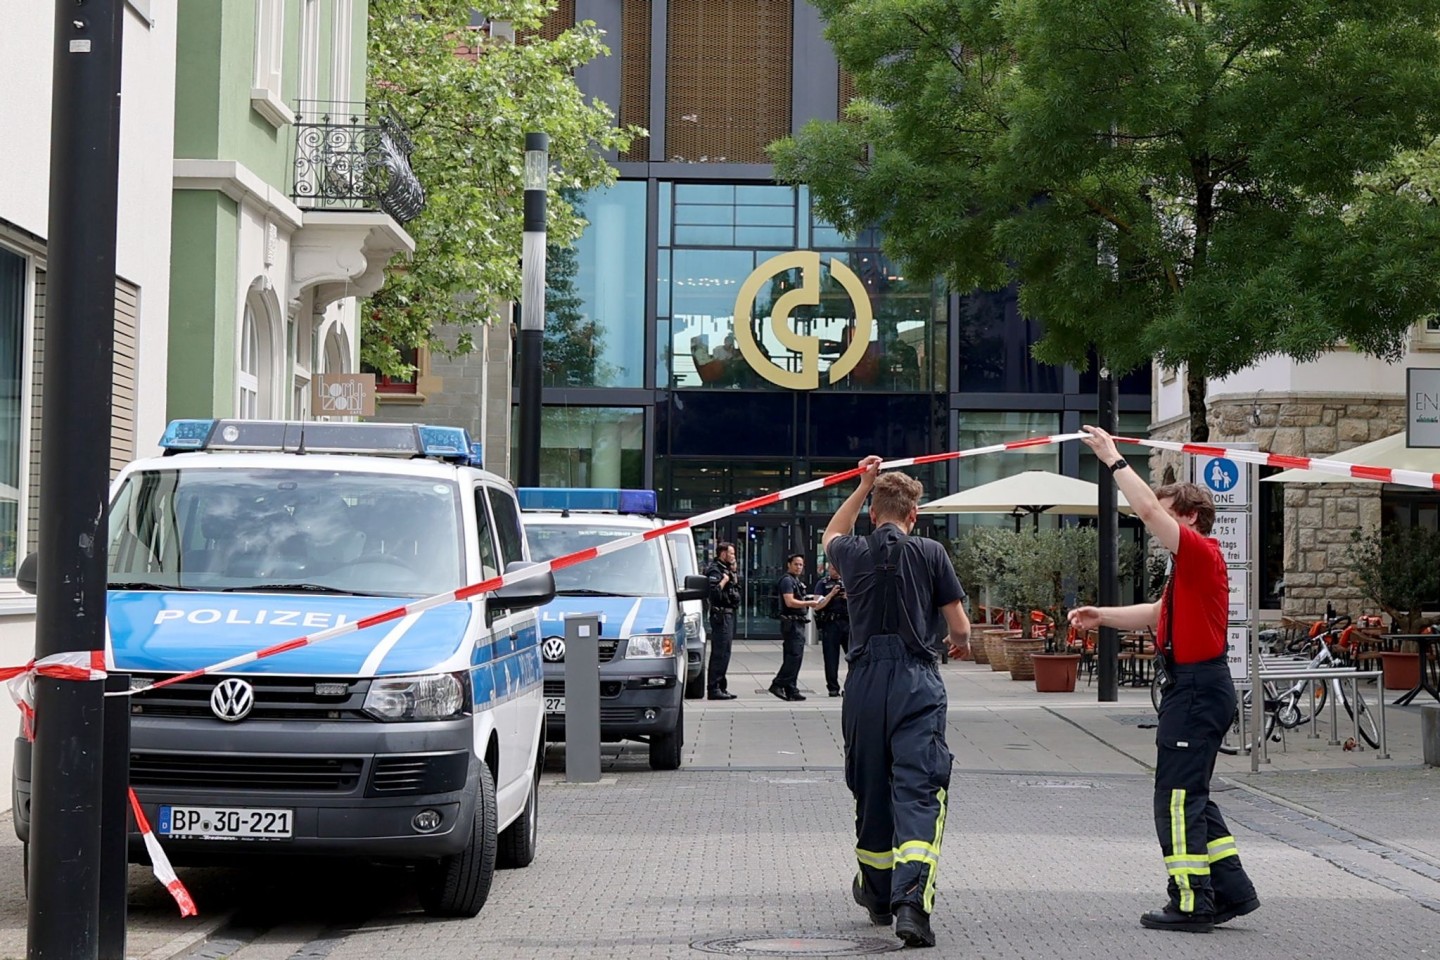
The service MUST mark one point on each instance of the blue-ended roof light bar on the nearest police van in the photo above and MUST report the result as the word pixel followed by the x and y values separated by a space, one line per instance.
pixel 316 437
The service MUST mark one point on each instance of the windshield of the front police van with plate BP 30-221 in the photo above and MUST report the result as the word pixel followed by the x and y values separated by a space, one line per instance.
pixel 326 532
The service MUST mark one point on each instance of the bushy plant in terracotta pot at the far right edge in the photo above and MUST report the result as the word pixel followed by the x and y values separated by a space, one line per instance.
pixel 1399 571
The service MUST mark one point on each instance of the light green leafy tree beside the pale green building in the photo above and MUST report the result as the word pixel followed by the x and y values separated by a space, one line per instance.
pixel 469 101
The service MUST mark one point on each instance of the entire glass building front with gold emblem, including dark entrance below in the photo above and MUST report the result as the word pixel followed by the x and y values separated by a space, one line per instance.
pixel 652 381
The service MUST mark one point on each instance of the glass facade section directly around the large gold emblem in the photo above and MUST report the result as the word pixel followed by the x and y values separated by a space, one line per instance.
pixel 870 329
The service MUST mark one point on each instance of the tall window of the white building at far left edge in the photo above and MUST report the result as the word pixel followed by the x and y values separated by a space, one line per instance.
pixel 14 273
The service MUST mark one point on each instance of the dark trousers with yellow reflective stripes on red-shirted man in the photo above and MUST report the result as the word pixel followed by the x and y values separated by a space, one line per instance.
pixel 1200 853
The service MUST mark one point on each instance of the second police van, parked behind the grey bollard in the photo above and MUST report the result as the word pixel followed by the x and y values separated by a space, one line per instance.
pixel 644 666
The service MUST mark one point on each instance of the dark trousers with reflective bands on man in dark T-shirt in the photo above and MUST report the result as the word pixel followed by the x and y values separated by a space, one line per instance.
pixel 898 768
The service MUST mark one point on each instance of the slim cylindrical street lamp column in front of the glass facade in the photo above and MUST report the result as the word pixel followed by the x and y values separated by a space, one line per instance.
pixel 532 304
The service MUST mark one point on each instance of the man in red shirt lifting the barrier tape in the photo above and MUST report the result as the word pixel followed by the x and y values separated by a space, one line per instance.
pixel 1207 883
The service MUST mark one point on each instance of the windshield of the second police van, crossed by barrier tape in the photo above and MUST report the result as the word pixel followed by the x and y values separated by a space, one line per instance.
pixel 636 572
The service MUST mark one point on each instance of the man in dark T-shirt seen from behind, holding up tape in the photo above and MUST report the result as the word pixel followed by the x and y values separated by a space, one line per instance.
pixel 898 765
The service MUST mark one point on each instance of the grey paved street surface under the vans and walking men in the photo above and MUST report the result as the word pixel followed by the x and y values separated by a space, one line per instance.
pixel 1049 851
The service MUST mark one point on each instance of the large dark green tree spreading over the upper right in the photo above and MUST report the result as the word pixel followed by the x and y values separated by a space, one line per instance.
pixel 1202 182
